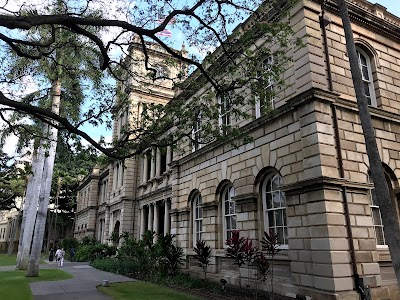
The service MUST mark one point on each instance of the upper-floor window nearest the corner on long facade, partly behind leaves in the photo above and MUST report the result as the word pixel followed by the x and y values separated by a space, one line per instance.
pixel 266 99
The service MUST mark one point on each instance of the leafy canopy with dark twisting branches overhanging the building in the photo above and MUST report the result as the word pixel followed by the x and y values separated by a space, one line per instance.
pixel 205 25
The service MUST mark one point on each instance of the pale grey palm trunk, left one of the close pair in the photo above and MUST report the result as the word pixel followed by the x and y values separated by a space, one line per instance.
pixel 30 208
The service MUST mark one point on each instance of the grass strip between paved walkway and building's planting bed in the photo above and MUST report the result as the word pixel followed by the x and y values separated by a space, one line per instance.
pixel 140 290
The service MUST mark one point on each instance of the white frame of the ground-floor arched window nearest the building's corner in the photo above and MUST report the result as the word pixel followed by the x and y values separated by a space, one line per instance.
pixel 265 210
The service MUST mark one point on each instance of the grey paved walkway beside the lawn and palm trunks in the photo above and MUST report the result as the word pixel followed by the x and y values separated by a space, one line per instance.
pixel 82 286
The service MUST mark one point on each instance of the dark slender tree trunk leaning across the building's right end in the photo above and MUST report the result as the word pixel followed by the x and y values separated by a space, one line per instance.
pixel 389 220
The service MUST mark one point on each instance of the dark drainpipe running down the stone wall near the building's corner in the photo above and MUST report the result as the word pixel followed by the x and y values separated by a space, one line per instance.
pixel 324 21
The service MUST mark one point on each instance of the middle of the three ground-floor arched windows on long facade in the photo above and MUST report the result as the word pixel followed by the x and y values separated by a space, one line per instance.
pixel 228 212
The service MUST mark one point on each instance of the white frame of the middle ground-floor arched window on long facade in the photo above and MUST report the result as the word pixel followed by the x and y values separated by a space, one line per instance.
pixel 226 196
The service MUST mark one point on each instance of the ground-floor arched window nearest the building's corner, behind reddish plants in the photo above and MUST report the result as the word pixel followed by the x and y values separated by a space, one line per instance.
pixel 274 207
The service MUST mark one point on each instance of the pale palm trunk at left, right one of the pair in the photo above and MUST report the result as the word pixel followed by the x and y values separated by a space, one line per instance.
pixel 33 267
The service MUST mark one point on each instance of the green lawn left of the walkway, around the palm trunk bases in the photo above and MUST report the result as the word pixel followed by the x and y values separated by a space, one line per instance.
pixel 14 284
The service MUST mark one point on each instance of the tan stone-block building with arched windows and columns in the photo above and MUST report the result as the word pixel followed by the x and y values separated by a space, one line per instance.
pixel 305 162
